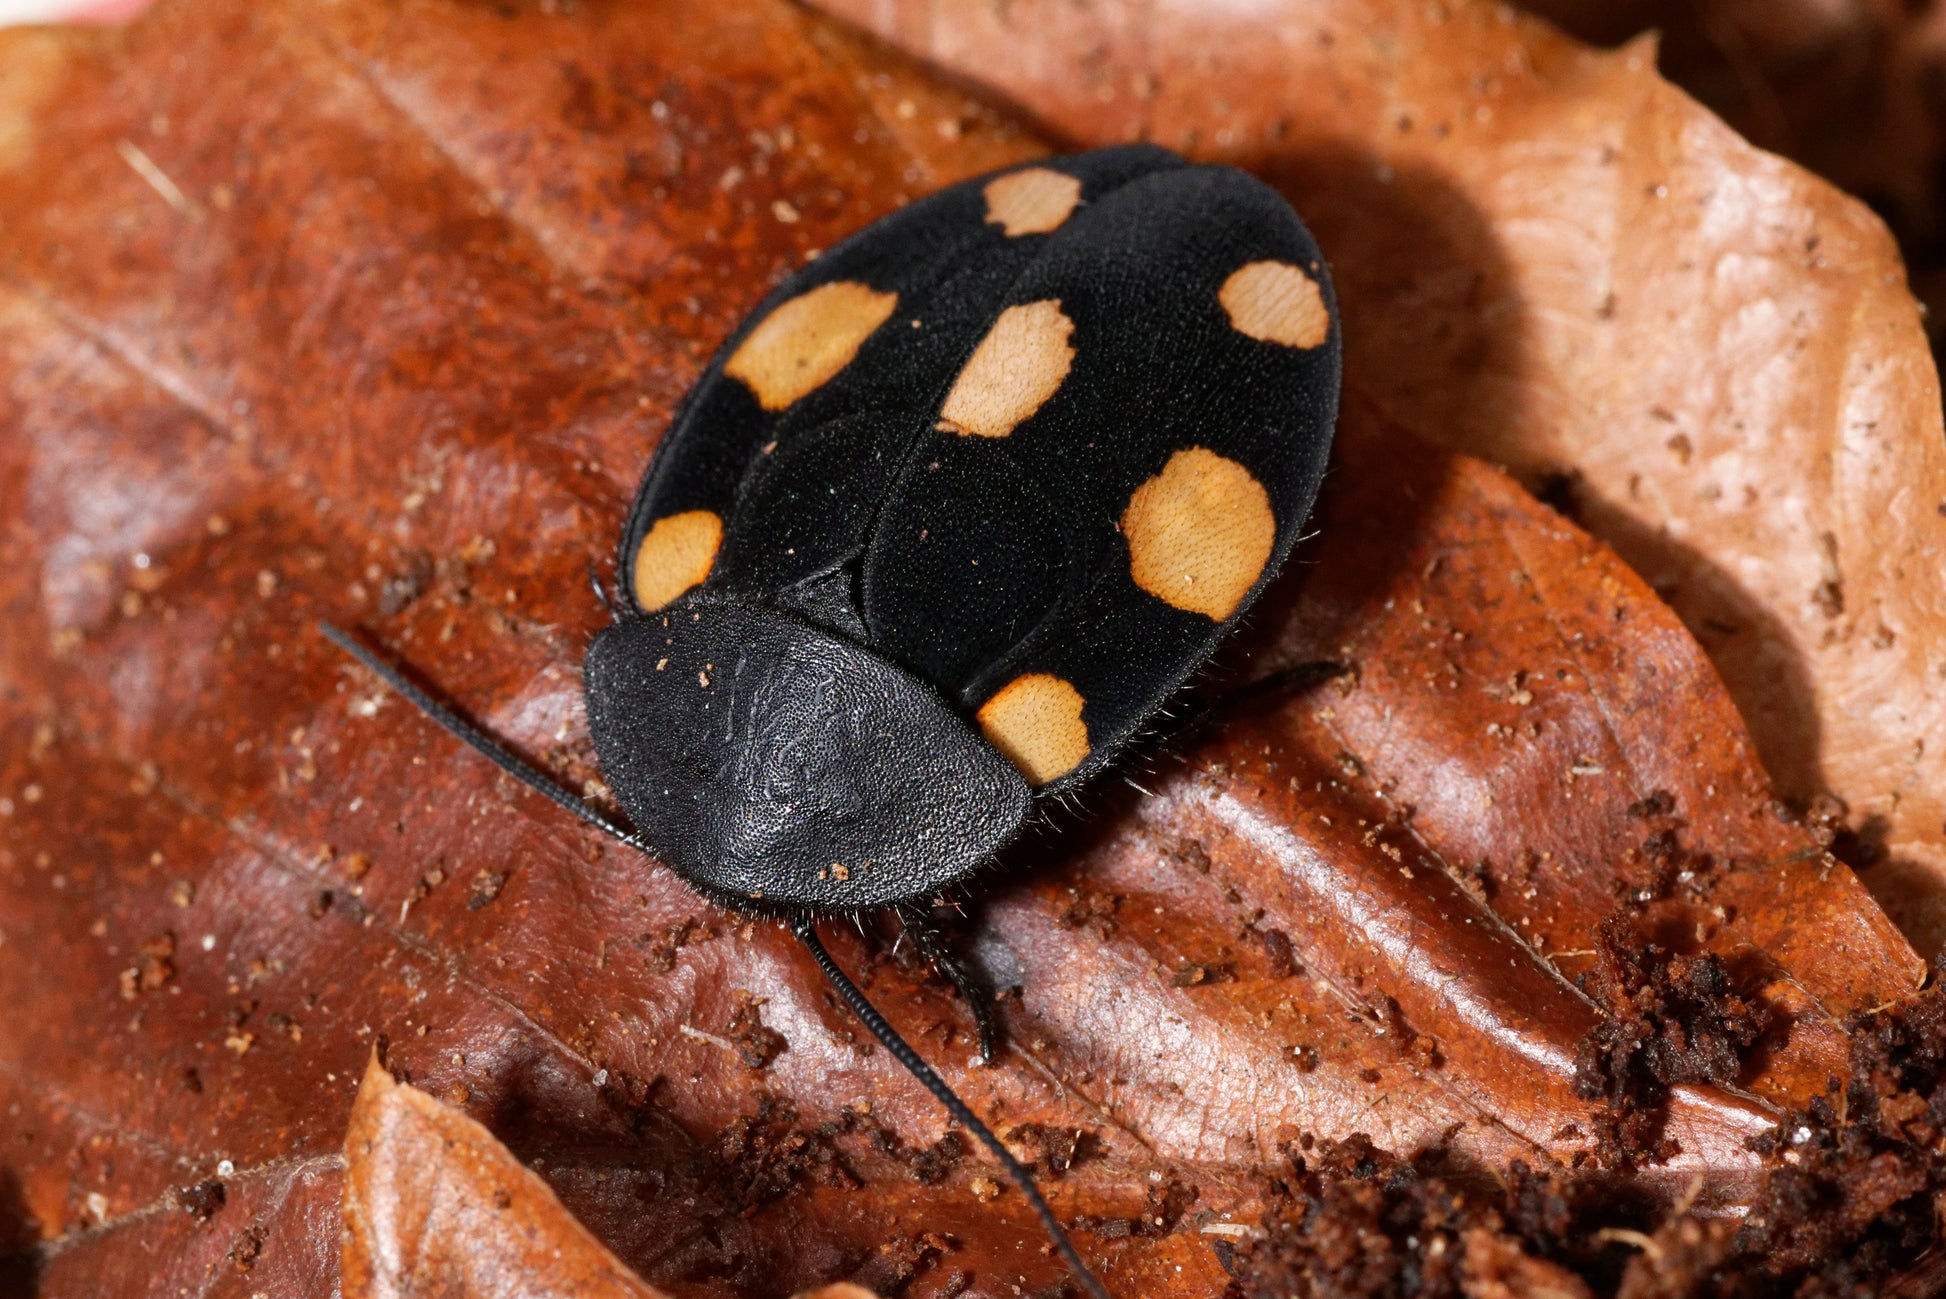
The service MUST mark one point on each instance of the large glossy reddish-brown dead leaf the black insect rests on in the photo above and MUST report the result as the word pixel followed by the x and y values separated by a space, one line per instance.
pixel 396 351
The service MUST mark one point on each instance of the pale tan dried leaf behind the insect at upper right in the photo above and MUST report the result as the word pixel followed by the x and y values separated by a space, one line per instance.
pixel 1554 260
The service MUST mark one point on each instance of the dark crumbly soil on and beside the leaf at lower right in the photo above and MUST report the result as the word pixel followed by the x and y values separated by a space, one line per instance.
pixel 1846 1209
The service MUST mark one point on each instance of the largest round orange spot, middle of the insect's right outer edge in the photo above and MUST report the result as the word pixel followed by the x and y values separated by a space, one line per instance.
pixel 1200 534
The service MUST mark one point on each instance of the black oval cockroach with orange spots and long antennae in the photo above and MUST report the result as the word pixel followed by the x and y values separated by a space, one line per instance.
pixel 945 524
